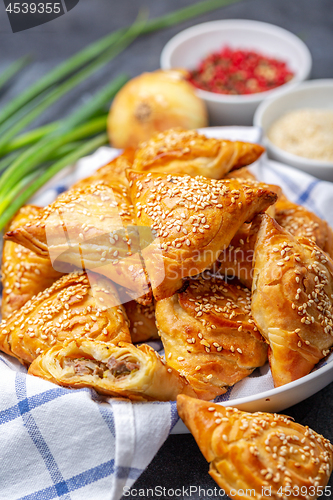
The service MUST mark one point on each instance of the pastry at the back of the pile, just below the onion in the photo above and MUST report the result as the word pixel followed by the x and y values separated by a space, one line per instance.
pixel 178 151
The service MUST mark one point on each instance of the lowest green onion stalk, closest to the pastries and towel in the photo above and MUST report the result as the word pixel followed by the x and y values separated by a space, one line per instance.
pixel 14 203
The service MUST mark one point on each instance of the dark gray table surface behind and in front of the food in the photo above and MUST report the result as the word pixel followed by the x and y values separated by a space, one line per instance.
pixel 178 463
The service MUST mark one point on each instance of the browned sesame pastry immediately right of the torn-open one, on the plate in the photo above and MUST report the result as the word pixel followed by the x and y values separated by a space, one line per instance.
pixel 209 335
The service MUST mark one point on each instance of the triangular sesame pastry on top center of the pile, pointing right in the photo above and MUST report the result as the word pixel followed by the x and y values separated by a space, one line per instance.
pixel 193 220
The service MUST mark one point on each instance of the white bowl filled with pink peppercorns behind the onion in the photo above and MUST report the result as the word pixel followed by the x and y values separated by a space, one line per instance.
pixel 235 64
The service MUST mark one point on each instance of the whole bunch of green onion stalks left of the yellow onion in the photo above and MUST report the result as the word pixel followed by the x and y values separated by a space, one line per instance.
pixel 28 170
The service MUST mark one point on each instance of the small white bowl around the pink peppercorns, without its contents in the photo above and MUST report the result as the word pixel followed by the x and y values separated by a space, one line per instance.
pixel 189 47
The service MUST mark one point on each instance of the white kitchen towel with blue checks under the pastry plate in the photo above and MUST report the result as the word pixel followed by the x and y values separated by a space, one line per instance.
pixel 73 444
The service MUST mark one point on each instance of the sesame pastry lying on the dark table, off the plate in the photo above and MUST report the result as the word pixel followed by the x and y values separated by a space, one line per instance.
pixel 253 455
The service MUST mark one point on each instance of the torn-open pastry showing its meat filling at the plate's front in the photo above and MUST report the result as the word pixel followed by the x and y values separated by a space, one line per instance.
pixel 122 370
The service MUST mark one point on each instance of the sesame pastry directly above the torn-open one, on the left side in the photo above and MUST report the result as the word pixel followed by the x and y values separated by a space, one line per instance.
pixel 75 306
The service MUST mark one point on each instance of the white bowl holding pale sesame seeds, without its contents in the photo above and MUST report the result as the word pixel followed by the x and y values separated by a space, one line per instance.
pixel 312 94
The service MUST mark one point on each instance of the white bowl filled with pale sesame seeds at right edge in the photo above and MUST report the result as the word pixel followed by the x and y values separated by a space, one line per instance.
pixel 297 127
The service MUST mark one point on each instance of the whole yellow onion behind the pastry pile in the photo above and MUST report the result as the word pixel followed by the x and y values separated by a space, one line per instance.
pixel 153 102
